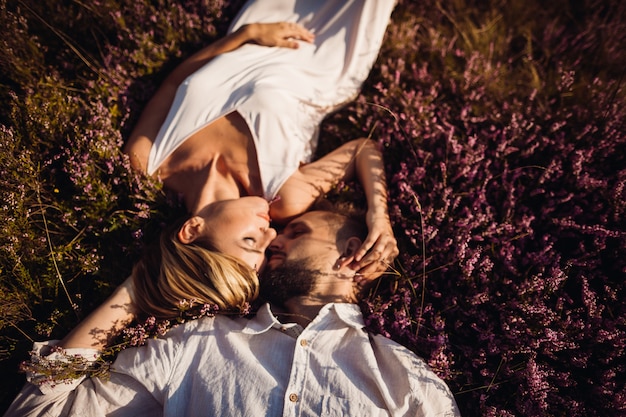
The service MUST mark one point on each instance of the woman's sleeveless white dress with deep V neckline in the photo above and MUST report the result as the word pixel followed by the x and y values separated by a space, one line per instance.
pixel 282 94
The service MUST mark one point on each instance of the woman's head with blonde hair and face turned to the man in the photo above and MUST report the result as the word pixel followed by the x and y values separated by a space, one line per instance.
pixel 220 272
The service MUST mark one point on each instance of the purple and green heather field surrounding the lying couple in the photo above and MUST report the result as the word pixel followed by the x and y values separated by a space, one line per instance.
pixel 503 129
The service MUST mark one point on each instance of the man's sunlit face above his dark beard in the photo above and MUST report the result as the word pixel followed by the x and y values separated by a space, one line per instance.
pixel 309 240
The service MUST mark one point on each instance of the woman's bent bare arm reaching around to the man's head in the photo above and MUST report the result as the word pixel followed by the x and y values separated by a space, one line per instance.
pixel 356 159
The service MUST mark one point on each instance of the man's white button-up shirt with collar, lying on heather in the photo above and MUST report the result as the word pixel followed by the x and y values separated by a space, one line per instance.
pixel 226 366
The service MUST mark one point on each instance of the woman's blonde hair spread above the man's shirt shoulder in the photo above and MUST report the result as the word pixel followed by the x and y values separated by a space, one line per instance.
pixel 172 273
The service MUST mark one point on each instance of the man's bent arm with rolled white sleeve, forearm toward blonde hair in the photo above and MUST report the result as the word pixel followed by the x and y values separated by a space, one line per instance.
pixel 54 394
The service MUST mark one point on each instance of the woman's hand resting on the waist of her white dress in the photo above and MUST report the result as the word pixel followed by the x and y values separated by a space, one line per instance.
pixel 282 34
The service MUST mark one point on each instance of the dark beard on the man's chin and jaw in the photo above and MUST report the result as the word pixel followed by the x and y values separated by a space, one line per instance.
pixel 291 279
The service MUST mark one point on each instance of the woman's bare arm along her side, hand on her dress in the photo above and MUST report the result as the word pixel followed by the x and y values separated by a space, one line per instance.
pixel 281 34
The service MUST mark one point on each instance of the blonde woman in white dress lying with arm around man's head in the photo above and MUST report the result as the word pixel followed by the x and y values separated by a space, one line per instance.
pixel 236 121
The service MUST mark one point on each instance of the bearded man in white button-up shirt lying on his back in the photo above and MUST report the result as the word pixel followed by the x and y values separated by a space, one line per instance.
pixel 305 353
